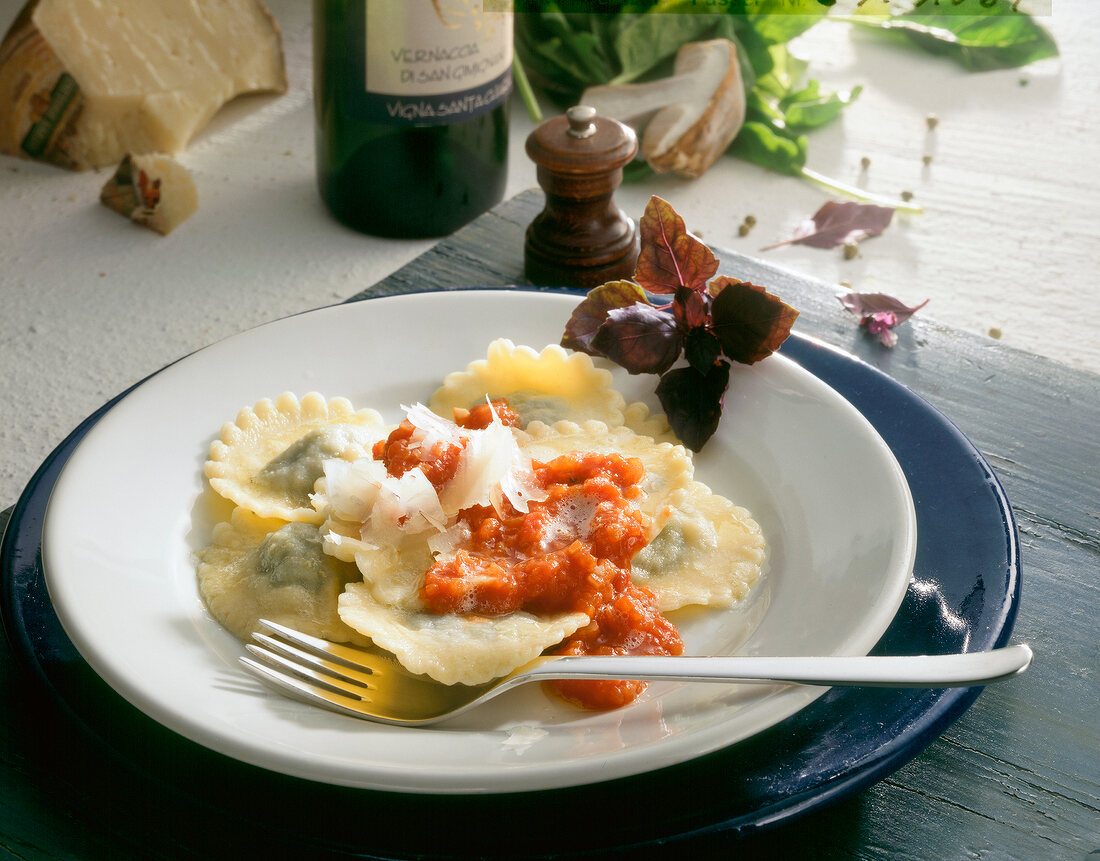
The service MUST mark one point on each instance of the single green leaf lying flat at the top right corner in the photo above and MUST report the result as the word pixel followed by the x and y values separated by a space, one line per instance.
pixel 998 39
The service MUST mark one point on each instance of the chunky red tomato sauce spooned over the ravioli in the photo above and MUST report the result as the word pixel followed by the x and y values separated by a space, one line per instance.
pixel 570 553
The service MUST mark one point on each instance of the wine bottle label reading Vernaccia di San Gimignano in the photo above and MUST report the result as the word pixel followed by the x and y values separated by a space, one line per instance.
pixel 435 62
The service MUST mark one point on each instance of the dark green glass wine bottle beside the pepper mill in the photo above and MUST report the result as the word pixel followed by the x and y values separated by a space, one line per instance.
pixel 412 108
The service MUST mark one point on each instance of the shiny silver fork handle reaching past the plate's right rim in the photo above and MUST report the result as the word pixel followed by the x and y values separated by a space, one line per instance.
pixel 965 670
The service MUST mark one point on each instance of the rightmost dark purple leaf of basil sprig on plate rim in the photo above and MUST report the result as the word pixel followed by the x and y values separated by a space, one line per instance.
pixel 749 321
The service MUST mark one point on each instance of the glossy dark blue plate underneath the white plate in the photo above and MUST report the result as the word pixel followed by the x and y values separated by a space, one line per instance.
pixel 964 598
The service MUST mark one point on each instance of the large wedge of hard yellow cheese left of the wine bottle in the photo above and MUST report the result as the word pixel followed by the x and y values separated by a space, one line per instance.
pixel 85 82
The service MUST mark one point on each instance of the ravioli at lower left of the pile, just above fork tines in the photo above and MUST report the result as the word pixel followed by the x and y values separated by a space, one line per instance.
pixel 262 569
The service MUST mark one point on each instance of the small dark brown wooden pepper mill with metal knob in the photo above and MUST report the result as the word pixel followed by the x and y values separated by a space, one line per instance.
pixel 581 239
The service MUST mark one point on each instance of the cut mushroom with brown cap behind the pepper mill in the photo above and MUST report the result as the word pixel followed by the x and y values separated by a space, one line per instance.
pixel 688 120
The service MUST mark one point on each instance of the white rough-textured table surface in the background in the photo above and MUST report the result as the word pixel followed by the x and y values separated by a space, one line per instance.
pixel 1008 242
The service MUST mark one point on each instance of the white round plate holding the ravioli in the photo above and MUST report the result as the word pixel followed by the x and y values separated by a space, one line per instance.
pixel 123 525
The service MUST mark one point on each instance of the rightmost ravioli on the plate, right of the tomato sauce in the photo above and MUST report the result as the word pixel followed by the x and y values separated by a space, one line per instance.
pixel 709 553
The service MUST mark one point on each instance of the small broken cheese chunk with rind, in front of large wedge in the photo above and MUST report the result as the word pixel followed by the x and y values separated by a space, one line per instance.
pixel 152 191
